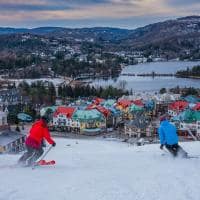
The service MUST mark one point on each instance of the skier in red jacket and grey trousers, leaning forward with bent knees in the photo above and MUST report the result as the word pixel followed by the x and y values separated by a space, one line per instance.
pixel 38 132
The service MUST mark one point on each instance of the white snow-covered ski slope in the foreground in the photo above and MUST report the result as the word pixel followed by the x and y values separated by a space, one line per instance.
pixel 104 170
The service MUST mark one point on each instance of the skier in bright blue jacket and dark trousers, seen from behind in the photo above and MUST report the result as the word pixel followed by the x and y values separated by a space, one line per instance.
pixel 169 138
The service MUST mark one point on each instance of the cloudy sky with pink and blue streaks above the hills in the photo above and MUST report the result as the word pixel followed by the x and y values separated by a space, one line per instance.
pixel 91 13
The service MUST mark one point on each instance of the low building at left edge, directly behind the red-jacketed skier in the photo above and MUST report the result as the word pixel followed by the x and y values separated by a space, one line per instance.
pixel 11 142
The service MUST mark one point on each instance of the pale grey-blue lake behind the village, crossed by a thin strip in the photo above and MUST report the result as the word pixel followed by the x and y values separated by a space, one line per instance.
pixel 137 83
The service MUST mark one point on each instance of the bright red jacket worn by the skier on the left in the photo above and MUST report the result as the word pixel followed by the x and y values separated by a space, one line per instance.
pixel 38 132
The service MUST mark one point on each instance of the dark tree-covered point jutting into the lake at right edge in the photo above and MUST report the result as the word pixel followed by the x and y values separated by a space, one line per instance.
pixel 194 72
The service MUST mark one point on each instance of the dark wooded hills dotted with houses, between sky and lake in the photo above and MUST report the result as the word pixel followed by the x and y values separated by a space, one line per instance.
pixel 95 52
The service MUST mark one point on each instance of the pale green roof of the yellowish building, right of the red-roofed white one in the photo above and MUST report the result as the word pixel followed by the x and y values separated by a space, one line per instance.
pixel 86 115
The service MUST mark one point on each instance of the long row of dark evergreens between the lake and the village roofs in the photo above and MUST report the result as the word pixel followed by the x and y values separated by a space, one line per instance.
pixel 90 91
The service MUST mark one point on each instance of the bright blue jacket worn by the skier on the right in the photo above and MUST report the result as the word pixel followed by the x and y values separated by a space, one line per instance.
pixel 167 133
